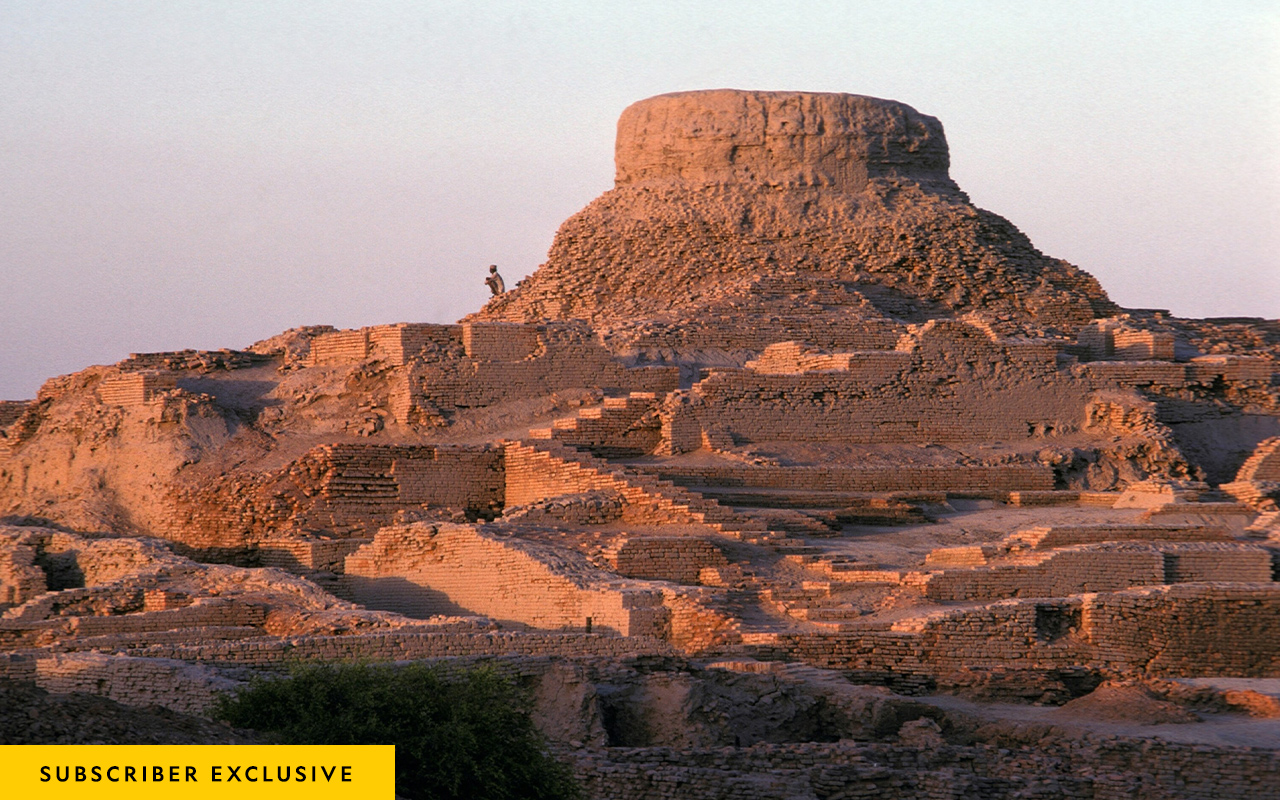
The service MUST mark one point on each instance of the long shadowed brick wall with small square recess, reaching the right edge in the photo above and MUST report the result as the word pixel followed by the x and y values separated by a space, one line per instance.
pixel 1185 630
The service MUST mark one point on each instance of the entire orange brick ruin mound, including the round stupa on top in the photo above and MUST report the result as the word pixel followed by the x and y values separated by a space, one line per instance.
pixel 788 461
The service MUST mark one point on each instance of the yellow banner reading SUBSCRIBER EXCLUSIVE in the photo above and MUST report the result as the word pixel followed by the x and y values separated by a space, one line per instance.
pixel 199 772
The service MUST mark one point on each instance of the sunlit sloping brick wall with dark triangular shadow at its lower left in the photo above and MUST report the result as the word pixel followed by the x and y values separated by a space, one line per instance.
pixel 424 570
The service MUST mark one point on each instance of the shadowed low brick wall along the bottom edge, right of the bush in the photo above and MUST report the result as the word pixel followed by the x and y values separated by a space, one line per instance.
pixel 1054 770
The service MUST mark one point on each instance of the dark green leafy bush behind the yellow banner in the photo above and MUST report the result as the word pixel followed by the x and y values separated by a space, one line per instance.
pixel 456 735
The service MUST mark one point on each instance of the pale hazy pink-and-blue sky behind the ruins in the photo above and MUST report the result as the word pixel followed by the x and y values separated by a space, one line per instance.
pixel 205 175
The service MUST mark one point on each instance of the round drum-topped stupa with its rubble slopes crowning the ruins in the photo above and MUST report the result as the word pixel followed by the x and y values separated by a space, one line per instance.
pixel 798 211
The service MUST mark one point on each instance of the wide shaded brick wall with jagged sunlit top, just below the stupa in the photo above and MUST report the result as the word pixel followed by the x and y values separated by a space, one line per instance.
pixel 947 382
